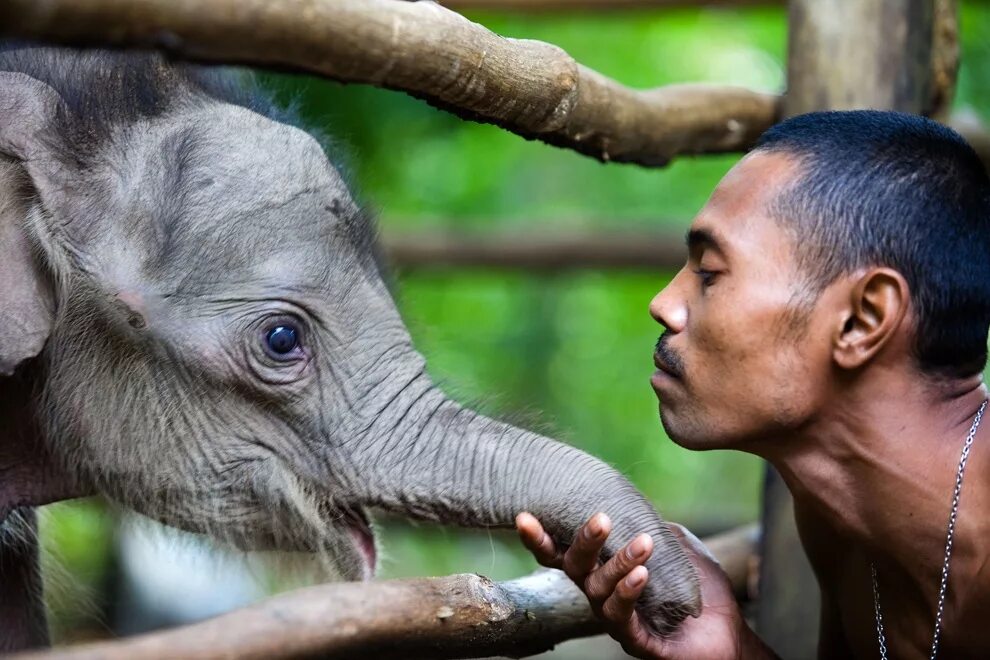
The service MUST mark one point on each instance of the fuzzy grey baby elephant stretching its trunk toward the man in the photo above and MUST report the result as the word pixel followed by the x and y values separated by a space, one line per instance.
pixel 153 231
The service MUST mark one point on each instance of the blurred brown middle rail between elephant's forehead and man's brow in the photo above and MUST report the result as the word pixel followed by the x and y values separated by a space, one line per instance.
pixel 537 252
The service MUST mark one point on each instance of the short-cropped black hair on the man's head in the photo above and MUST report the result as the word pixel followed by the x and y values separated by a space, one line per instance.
pixel 896 190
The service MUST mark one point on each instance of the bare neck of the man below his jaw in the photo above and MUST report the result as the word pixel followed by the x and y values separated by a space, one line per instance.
pixel 875 467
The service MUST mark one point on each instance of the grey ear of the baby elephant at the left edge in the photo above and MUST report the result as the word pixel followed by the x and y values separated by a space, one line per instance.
pixel 26 303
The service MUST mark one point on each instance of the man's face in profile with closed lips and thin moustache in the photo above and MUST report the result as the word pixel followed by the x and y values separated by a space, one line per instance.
pixel 742 359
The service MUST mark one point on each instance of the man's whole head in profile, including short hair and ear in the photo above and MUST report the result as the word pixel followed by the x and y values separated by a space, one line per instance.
pixel 846 242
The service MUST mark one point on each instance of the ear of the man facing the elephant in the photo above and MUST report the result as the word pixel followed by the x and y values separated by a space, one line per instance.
pixel 876 307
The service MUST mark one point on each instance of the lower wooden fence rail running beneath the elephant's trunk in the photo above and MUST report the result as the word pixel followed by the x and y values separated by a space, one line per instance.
pixel 459 616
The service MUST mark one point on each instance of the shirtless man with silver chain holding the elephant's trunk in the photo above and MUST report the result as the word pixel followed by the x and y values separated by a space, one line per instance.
pixel 832 318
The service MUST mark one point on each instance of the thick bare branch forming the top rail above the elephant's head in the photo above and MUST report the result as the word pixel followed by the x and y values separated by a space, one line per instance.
pixel 528 87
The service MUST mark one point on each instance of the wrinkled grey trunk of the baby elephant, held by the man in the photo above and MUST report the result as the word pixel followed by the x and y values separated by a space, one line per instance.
pixel 430 458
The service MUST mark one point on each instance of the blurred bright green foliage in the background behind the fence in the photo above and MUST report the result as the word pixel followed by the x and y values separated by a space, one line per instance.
pixel 567 354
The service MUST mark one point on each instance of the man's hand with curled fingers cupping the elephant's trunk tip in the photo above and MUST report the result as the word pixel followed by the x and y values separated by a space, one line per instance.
pixel 612 589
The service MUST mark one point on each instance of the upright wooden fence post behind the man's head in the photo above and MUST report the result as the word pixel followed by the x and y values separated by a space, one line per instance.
pixel 842 55
